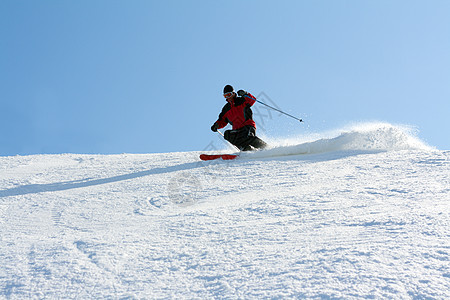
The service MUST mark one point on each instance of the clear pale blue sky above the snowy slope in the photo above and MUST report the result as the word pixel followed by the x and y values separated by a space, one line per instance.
pixel 147 76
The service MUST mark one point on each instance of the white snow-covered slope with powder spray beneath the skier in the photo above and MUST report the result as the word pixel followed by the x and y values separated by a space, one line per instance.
pixel 361 214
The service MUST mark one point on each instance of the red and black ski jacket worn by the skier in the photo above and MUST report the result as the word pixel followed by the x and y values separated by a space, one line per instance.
pixel 238 113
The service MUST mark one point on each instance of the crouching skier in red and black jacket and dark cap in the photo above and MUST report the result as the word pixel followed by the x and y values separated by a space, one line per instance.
pixel 238 113
